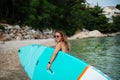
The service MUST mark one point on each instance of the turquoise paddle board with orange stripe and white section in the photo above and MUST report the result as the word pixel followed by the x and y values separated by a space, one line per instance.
pixel 34 59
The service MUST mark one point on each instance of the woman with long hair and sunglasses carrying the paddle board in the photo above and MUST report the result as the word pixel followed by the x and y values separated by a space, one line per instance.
pixel 62 44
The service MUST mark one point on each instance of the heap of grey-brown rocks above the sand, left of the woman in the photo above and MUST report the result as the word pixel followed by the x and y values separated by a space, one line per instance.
pixel 17 33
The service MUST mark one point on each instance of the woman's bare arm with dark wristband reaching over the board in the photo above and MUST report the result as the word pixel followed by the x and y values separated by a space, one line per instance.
pixel 57 48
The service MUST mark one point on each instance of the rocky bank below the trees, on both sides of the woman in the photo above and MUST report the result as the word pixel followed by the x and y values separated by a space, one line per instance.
pixel 27 33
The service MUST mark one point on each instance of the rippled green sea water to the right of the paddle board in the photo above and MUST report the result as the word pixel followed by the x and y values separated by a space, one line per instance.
pixel 102 53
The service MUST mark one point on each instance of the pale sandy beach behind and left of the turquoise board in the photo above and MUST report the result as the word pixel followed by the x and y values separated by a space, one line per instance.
pixel 10 67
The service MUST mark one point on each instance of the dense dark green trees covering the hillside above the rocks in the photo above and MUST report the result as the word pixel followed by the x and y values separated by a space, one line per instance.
pixel 68 15
